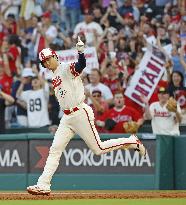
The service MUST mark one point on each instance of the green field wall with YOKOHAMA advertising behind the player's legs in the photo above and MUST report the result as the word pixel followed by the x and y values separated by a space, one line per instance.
pixel 23 156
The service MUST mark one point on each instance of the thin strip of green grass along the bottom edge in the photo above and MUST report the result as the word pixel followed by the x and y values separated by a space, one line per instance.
pixel 98 202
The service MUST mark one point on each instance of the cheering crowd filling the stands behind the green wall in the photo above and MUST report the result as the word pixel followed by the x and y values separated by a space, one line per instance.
pixel 120 31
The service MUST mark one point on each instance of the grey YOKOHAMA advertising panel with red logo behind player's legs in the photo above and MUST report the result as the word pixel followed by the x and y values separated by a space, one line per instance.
pixel 78 158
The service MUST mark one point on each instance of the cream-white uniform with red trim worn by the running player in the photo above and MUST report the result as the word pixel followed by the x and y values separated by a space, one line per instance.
pixel 69 91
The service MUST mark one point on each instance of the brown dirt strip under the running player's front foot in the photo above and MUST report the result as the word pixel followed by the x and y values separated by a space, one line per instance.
pixel 94 195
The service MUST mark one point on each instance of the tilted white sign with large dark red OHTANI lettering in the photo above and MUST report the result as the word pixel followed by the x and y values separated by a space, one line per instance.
pixel 147 76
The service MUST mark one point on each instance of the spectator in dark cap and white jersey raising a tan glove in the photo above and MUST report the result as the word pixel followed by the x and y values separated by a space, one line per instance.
pixel 163 121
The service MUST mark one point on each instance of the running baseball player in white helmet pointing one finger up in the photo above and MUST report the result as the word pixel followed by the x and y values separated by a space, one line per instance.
pixel 78 117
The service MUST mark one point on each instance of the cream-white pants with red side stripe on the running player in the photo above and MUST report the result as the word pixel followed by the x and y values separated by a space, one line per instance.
pixel 80 122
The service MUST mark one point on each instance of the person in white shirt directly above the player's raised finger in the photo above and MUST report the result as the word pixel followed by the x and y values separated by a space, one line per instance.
pixel 90 28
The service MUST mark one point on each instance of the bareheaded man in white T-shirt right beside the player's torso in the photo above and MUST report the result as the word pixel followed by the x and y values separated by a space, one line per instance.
pixel 95 77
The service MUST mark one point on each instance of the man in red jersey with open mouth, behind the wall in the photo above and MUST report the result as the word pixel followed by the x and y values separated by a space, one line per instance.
pixel 118 115
